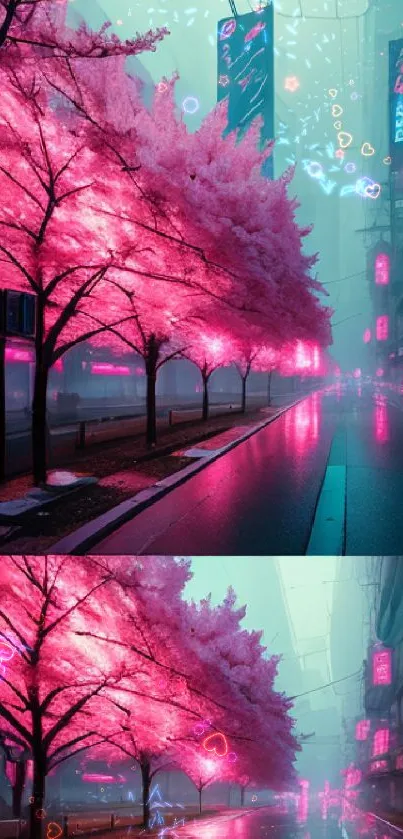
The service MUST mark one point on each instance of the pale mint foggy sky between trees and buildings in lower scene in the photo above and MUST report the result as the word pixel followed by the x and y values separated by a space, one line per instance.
pixel 314 612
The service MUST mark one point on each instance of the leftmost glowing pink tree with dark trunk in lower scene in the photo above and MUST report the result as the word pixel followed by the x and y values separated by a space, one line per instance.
pixel 84 653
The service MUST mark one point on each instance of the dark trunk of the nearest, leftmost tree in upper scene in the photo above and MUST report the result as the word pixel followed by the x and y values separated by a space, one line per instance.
pixel 39 408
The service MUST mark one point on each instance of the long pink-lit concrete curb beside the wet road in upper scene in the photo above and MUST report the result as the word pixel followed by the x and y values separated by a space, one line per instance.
pixel 82 540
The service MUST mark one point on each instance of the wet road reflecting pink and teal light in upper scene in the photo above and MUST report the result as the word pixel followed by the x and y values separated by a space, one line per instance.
pixel 261 498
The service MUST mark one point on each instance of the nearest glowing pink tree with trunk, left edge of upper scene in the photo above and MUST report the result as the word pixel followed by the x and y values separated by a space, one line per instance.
pixel 51 244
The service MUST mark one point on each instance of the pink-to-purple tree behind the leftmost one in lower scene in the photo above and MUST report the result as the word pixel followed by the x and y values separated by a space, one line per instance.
pixel 216 683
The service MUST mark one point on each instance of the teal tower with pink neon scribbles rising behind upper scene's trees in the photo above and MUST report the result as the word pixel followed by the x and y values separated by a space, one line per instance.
pixel 246 72
